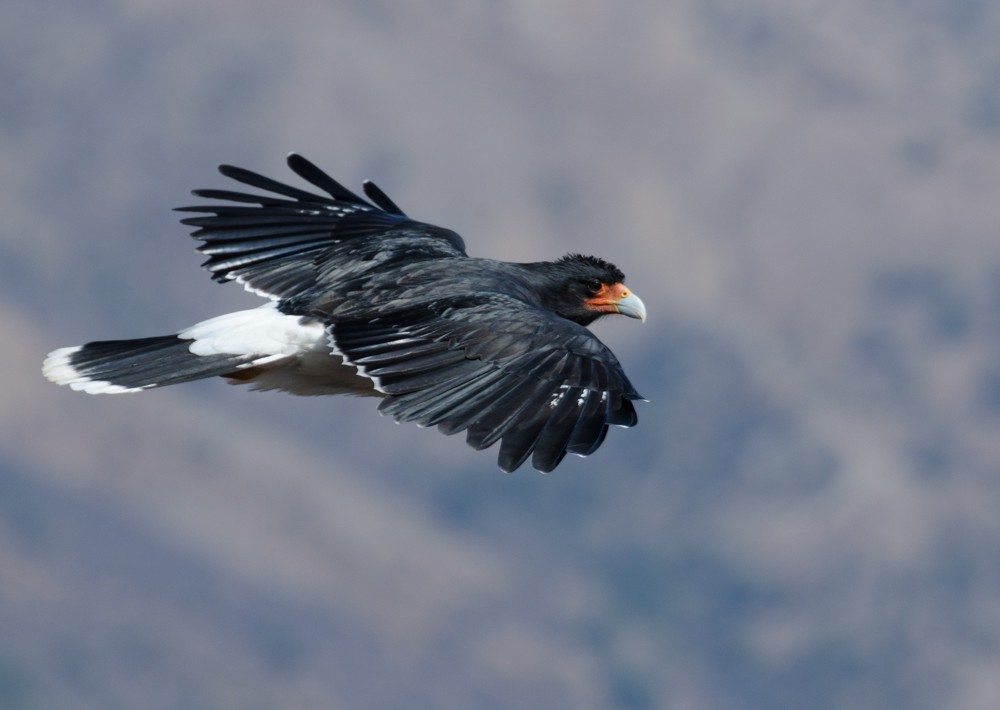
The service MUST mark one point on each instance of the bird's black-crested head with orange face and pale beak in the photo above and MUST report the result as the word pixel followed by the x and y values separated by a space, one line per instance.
pixel 586 288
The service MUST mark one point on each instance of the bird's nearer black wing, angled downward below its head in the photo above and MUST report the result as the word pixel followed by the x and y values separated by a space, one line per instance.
pixel 498 369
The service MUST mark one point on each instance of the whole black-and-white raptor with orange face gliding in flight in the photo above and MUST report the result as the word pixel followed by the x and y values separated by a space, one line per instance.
pixel 364 300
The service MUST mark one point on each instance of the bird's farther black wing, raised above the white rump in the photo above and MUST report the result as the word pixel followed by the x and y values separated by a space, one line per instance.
pixel 272 244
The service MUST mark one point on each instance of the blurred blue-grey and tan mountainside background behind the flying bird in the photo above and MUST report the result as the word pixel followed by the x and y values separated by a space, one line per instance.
pixel 804 193
